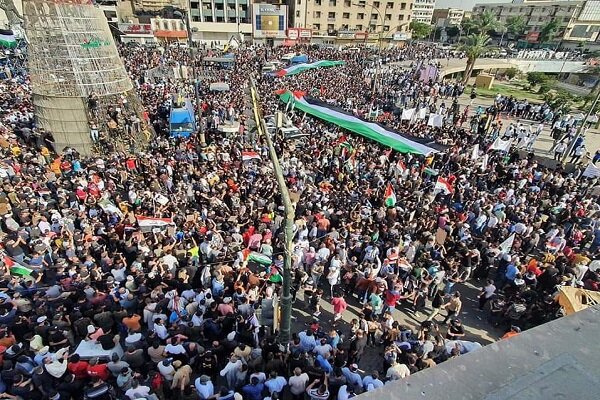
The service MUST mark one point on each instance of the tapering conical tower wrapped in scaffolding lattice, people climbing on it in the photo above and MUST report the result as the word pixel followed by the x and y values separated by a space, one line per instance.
pixel 77 75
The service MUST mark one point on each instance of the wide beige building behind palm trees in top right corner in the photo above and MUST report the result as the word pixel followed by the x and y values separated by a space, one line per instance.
pixel 579 20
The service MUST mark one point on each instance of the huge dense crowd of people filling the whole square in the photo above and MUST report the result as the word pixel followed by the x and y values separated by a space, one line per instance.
pixel 166 262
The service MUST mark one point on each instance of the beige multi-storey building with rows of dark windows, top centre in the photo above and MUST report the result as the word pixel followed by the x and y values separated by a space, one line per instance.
pixel 345 18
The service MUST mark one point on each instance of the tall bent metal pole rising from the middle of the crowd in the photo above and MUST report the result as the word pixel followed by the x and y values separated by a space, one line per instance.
pixel 290 213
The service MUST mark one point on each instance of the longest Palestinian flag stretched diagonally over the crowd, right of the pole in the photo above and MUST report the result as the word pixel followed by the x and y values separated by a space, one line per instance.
pixel 387 137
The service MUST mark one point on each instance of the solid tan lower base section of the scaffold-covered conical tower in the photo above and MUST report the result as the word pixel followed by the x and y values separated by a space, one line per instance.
pixel 66 118
